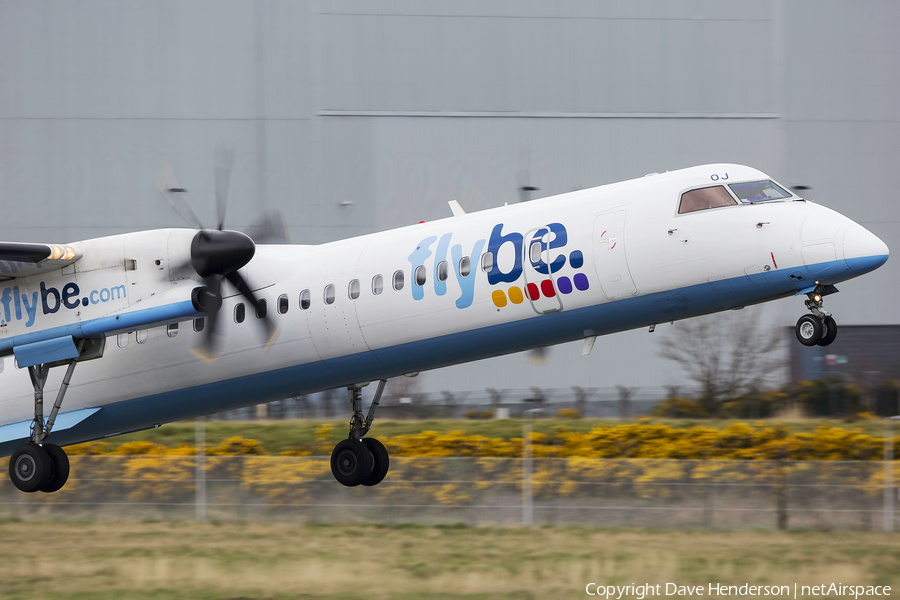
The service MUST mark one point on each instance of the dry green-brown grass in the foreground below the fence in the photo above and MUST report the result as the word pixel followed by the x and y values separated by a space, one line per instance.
pixel 253 561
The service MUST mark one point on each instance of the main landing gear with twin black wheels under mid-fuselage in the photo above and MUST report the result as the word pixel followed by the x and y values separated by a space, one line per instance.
pixel 359 460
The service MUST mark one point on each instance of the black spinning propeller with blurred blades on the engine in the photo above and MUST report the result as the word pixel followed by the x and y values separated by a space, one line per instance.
pixel 218 254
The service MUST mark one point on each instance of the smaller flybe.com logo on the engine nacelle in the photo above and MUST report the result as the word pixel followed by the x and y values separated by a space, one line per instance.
pixel 17 303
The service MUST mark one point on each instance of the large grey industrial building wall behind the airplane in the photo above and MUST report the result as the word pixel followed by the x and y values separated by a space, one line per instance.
pixel 354 117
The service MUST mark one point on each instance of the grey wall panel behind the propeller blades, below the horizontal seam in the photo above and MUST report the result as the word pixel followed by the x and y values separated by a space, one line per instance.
pixel 81 178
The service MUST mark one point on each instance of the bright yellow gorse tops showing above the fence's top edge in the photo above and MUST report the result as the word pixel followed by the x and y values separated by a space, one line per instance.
pixel 738 441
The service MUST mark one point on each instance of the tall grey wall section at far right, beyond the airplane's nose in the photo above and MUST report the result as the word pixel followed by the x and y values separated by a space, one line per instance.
pixel 842 130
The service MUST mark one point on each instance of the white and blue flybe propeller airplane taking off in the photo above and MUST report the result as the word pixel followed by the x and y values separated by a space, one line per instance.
pixel 142 315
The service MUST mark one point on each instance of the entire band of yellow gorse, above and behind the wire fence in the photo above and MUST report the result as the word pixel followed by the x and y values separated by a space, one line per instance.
pixel 644 460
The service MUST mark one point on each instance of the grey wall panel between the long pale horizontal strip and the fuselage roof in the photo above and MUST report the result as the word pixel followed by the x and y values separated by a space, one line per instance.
pixel 411 167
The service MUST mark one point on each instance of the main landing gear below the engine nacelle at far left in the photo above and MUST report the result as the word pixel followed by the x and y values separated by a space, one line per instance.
pixel 37 466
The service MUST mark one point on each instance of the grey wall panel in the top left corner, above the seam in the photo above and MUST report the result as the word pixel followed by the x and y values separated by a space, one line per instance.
pixel 144 60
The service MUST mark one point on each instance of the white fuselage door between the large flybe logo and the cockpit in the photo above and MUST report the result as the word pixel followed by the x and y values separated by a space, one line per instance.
pixel 609 256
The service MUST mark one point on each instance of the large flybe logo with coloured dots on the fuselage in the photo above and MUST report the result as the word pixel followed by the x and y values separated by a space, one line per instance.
pixel 541 284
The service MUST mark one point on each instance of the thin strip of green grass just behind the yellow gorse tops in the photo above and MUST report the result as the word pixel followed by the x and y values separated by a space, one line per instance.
pixel 279 436
